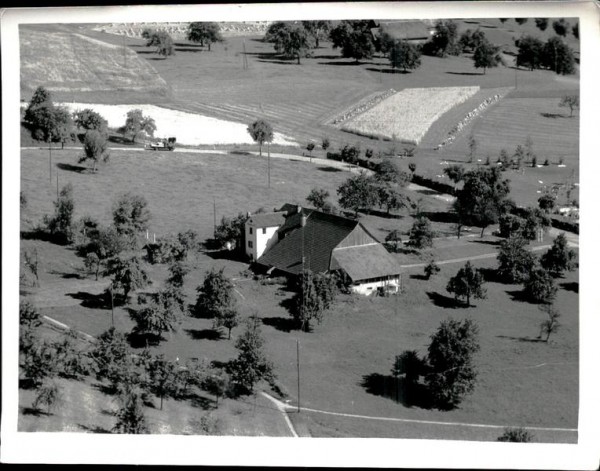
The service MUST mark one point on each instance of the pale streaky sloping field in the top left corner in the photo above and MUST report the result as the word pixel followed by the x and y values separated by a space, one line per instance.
pixel 84 65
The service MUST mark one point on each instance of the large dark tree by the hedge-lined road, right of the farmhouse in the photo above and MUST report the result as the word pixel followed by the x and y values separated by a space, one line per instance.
pixel 483 198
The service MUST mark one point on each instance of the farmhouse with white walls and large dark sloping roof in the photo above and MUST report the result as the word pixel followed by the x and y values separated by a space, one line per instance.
pixel 295 238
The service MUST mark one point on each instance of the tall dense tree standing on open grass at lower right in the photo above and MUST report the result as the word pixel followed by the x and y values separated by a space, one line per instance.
pixel 450 358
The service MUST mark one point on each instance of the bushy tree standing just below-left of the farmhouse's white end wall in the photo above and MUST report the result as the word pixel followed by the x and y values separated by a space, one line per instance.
pixel 215 295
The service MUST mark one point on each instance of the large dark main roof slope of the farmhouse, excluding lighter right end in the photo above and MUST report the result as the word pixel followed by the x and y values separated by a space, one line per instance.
pixel 317 239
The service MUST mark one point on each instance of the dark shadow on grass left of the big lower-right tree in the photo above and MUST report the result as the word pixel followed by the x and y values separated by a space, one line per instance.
pixel 397 389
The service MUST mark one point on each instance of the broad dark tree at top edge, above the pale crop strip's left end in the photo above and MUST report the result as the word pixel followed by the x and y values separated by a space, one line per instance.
pixel 354 38
